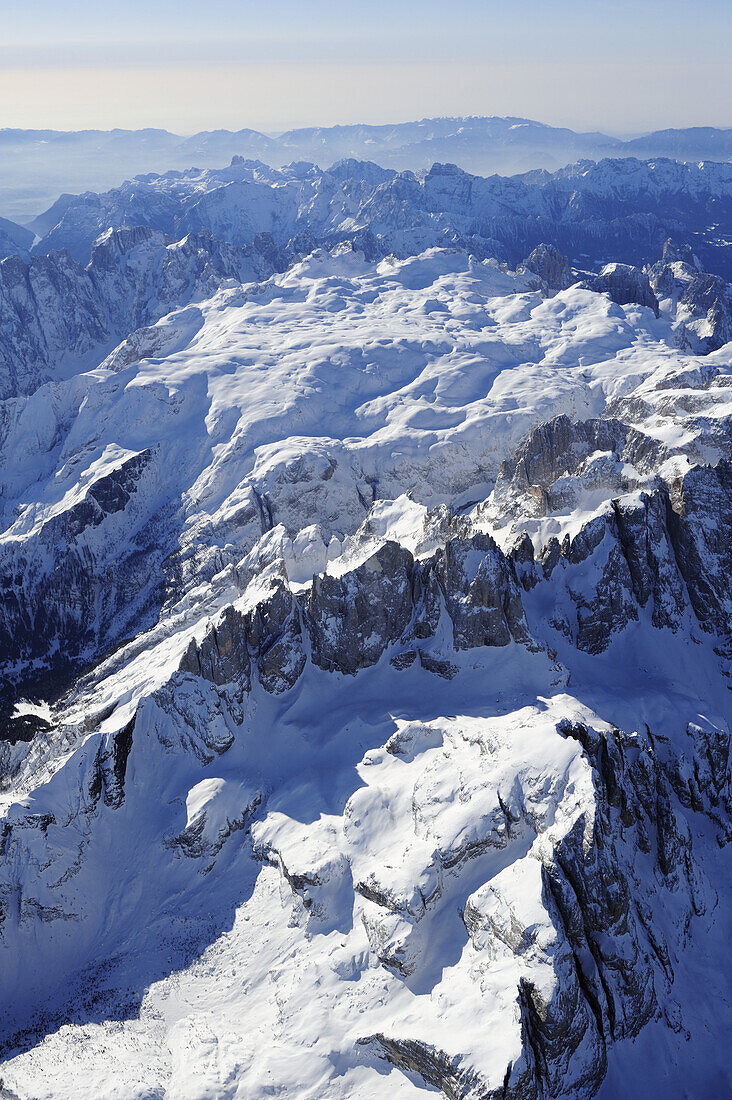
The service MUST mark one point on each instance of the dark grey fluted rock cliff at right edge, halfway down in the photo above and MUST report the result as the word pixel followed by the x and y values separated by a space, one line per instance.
pixel 659 551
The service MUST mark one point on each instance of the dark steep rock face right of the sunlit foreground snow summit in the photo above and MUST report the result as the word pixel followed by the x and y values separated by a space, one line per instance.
pixel 621 960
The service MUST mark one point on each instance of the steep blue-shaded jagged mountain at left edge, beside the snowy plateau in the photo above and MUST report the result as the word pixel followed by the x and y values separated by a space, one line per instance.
pixel 58 316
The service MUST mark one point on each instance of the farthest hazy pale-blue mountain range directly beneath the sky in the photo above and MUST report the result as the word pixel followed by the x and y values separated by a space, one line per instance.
pixel 39 166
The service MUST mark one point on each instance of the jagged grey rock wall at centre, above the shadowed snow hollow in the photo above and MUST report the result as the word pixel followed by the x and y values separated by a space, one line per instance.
pixel 353 621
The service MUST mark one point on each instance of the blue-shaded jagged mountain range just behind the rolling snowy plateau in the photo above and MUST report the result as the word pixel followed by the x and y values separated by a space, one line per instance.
pixel 620 210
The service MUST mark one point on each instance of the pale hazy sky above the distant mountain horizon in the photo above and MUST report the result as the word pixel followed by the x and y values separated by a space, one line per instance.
pixel 618 65
